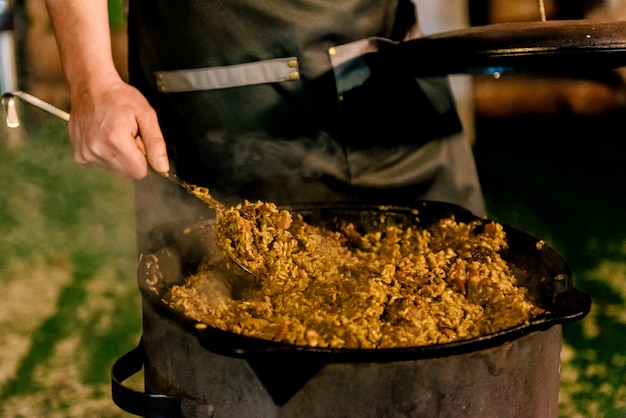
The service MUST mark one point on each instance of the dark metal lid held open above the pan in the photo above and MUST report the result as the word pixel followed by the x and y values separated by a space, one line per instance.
pixel 559 46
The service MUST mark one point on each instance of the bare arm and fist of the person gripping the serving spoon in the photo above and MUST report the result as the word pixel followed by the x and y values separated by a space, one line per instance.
pixel 111 124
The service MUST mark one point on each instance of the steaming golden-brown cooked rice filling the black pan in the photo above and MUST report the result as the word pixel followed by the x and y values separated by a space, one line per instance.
pixel 342 289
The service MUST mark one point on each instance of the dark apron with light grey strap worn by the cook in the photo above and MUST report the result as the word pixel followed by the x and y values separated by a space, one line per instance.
pixel 270 100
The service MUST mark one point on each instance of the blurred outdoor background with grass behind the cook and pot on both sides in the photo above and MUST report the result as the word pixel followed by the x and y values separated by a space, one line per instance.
pixel 549 156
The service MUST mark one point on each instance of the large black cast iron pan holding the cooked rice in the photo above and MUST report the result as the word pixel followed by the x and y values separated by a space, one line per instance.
pixel 179 248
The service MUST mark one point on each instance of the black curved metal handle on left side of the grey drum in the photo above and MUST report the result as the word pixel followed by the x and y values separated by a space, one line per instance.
pixel 147 404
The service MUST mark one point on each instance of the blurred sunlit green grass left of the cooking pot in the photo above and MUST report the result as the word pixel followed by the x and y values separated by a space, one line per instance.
pixel 67 256
